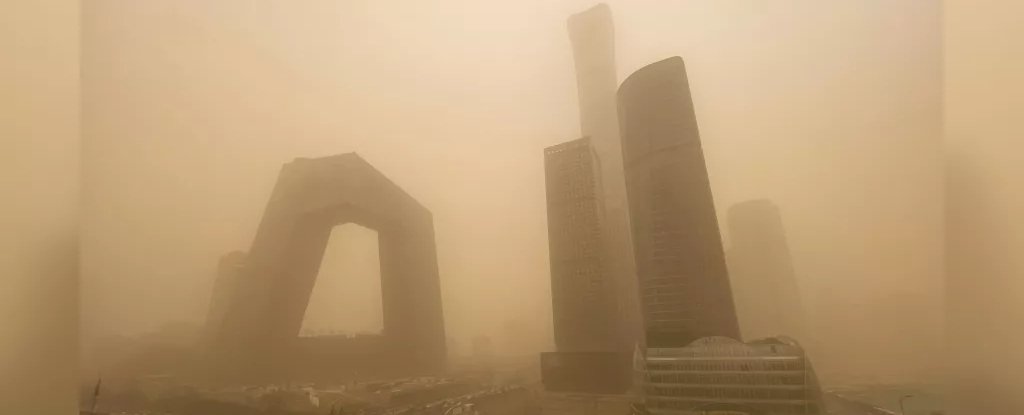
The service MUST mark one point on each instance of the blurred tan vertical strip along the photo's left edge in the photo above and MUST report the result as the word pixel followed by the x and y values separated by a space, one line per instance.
pixel 39 178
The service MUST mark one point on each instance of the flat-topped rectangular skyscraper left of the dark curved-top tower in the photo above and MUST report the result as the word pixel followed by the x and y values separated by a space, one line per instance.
pixel 584 297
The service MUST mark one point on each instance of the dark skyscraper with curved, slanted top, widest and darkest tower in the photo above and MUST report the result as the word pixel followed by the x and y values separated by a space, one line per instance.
pixel 685 284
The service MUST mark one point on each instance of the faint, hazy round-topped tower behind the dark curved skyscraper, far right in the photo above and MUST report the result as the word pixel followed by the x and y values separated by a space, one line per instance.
pixel 769 299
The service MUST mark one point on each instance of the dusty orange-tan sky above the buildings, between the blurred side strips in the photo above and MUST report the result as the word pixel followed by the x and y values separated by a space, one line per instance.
pixel 830 109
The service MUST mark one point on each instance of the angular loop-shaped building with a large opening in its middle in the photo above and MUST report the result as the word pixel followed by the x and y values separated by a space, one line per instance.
pixel 260 337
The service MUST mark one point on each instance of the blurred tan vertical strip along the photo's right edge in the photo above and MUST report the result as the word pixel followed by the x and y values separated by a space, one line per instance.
pixel 985 98
